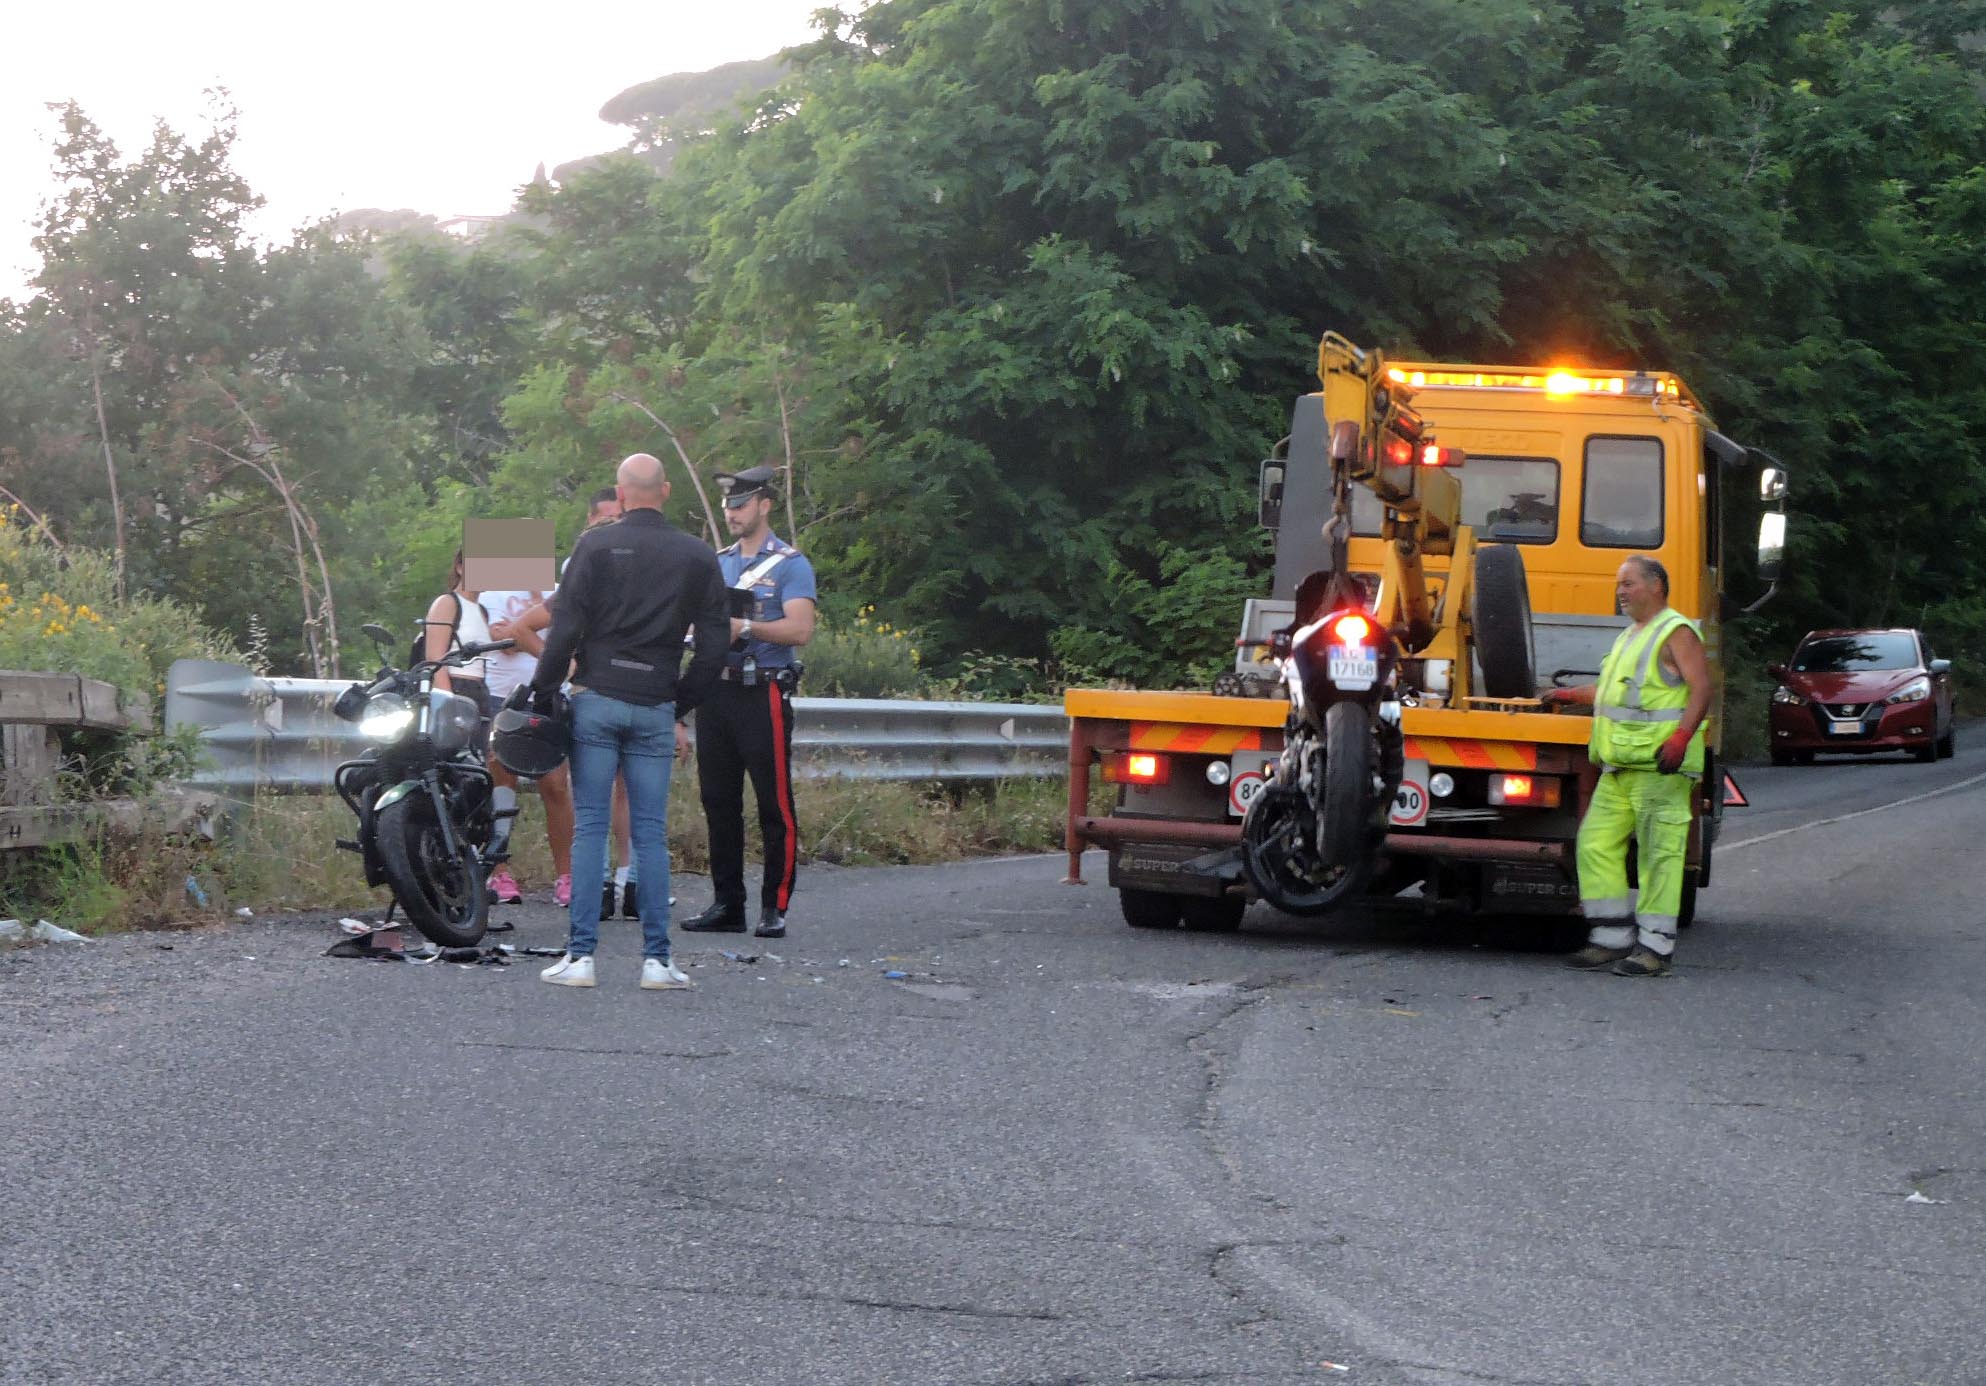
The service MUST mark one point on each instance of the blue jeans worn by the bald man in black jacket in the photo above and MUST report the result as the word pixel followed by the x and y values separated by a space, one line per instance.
pixel 638 744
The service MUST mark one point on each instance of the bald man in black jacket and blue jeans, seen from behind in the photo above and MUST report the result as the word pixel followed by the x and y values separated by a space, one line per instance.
pixel 627 601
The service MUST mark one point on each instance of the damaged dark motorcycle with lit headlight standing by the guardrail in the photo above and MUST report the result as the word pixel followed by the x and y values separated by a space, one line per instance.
pixel 422 795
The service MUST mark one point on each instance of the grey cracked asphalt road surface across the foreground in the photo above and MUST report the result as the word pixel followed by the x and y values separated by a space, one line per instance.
pixel 1058 1153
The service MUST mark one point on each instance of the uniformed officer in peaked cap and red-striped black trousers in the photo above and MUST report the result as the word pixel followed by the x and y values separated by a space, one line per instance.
pixel 748 722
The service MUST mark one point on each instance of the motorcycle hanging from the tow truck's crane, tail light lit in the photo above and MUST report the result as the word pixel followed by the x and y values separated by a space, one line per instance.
pixel 1312 835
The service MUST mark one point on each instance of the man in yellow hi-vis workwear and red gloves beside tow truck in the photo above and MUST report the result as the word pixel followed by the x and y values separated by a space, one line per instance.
pixel 1649 748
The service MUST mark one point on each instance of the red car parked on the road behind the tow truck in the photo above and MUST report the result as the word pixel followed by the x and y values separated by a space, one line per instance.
pixel 1862 690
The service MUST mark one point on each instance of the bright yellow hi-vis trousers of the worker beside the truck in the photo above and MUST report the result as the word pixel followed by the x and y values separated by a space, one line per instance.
pixel 1653 811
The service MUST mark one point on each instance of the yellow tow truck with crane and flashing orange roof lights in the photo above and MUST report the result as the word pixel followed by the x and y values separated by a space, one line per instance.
pixel 1483 511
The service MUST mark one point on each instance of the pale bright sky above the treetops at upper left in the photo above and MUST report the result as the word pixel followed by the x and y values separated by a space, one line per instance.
pixel 444 108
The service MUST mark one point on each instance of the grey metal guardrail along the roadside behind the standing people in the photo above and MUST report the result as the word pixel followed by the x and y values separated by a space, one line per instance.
pixel 281 734
